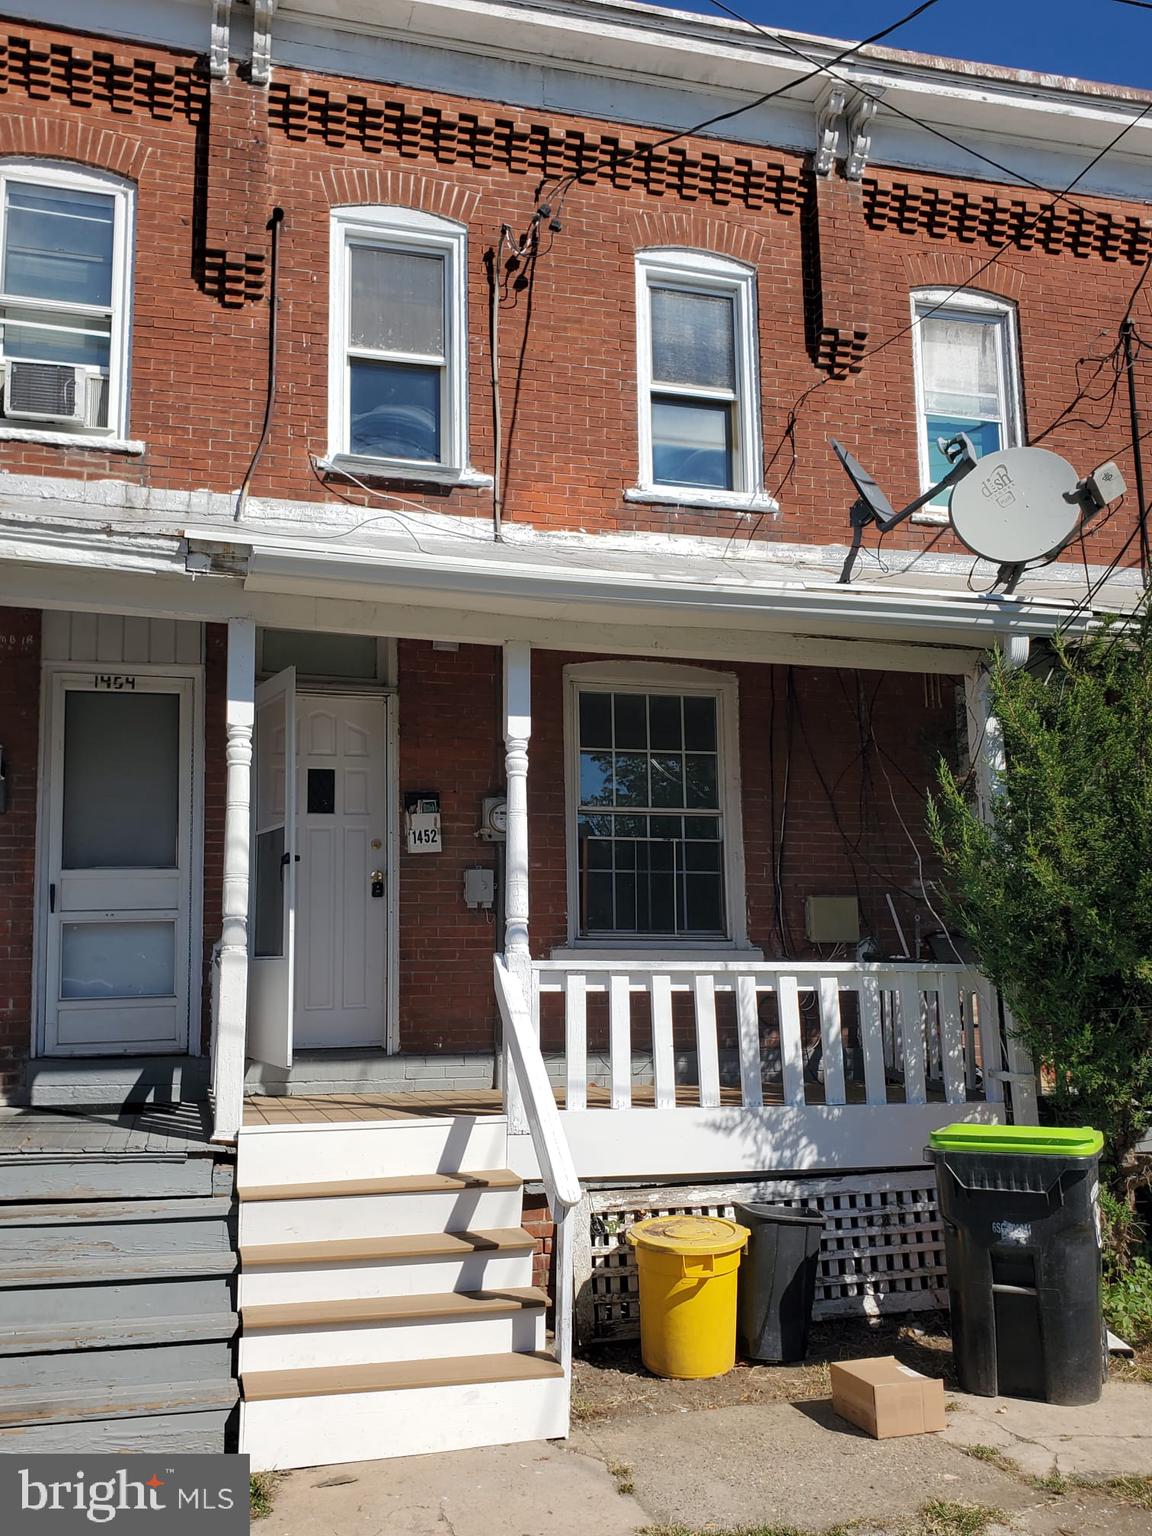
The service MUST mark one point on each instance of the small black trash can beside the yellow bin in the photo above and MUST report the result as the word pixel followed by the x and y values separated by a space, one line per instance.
pixel 778 1282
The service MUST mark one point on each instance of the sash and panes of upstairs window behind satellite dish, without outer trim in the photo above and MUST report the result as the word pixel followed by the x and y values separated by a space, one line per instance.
pixel 965 383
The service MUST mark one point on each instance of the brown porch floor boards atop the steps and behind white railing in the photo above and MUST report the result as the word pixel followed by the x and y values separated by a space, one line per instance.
pixel 266 1110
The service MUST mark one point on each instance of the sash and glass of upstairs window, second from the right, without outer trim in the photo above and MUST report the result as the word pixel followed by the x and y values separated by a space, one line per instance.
pixel 695 386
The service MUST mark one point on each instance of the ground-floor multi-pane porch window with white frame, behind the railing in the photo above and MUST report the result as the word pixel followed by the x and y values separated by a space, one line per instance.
pixel 655 806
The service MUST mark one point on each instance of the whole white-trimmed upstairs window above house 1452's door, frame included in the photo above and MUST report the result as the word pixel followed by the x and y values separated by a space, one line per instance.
pixel 397 388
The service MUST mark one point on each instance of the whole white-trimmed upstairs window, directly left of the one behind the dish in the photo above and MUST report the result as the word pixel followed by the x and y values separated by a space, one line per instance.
pixel 698 376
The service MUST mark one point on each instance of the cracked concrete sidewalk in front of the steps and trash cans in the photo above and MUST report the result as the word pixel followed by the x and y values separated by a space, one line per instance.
pixel 780 1465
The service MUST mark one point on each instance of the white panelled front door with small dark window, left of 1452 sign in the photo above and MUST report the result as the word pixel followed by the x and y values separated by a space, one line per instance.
pixel 342 881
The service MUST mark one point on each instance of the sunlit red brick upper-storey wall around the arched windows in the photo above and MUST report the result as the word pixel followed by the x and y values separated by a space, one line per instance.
pixel 211 162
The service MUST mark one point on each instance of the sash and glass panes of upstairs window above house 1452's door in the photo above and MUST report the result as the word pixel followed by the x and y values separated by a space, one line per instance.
pixel 397 353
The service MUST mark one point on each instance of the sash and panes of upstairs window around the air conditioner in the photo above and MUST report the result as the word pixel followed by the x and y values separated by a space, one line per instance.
pixel 58 277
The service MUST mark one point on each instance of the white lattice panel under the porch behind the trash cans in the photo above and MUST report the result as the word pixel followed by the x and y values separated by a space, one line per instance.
pixel 882 1251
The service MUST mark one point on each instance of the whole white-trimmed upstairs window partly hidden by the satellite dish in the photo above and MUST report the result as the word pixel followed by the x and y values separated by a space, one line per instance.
pixel 968 376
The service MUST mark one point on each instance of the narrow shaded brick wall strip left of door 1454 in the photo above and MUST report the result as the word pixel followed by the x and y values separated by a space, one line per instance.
pixel 21 740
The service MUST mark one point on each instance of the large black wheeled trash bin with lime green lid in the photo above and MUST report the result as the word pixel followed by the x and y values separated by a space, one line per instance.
pixel 1022 1234
